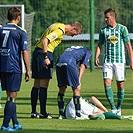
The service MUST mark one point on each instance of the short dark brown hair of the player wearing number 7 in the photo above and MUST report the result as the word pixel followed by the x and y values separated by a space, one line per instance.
pixel 13 13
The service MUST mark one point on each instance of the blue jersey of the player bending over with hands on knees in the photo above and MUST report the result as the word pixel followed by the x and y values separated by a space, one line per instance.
pixel 75 55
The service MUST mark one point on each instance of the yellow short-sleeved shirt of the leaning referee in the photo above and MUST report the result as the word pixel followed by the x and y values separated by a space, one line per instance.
pixel 54 33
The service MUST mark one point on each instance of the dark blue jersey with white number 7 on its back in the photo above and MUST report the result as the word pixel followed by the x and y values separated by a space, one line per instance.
pixel 13 40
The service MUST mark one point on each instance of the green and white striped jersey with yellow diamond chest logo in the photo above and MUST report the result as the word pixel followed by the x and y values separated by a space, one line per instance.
pixel 114 39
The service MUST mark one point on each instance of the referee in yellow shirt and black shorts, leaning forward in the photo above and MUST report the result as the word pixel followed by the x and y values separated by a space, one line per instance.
pixel 42 63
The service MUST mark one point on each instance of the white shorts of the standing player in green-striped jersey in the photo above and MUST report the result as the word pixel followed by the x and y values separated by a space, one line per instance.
pixel 110 68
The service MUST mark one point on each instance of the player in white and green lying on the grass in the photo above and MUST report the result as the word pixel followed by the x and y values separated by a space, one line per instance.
pixel 90 109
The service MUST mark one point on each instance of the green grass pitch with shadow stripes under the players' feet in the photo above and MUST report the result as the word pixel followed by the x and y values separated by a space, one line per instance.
pixel 92 84
